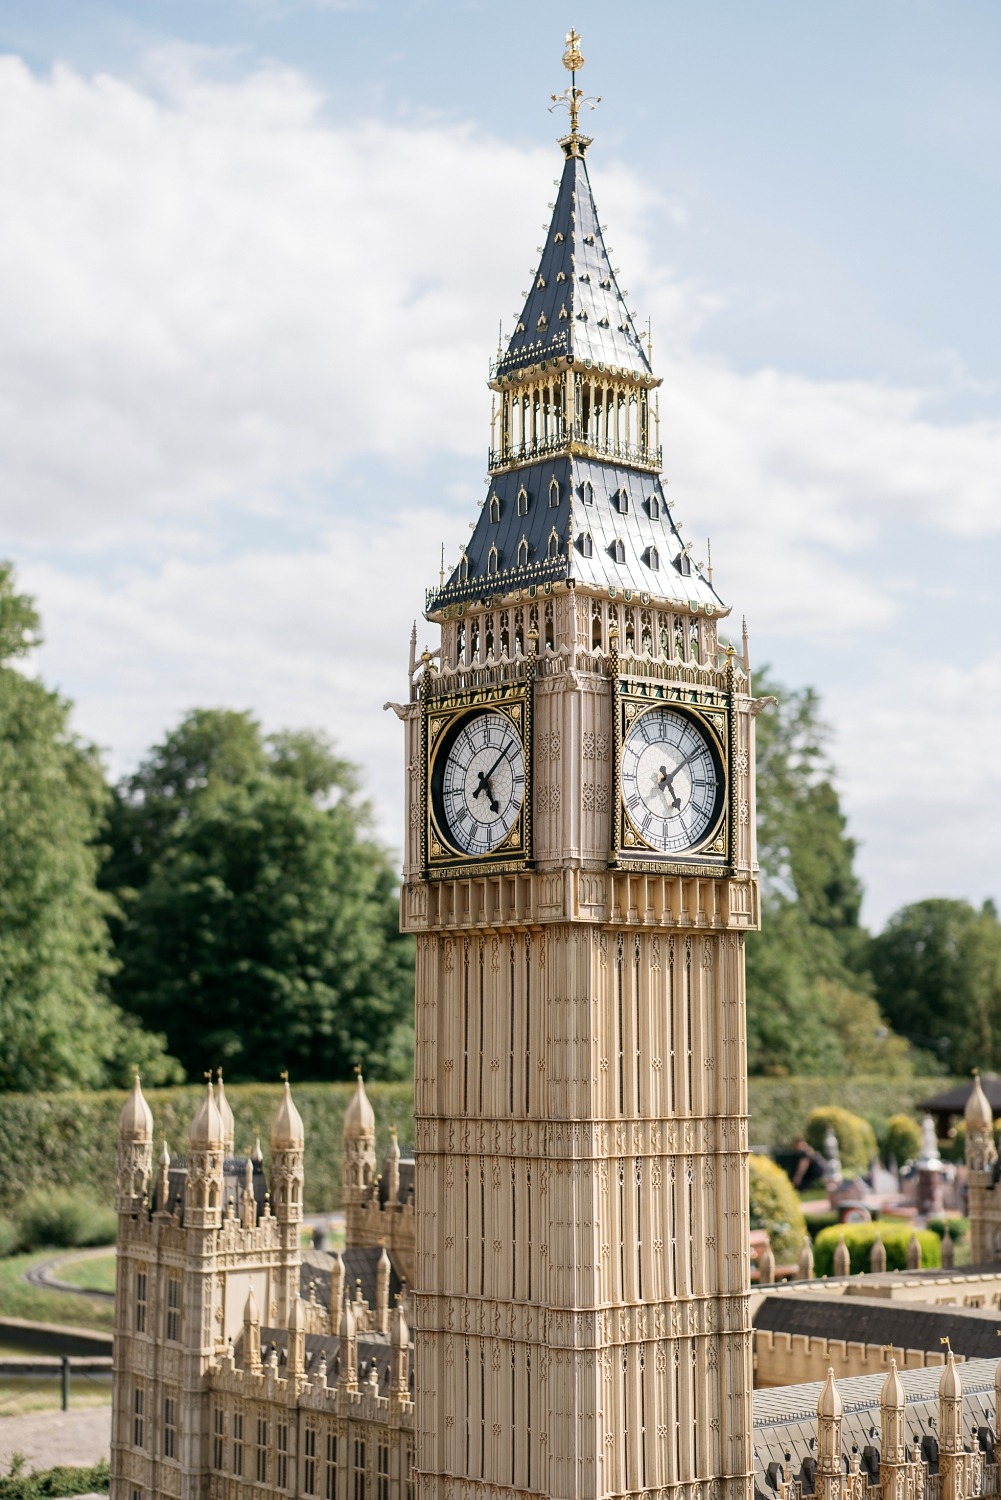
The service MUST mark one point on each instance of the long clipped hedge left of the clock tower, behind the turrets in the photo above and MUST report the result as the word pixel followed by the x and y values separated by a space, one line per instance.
pixel 68 1141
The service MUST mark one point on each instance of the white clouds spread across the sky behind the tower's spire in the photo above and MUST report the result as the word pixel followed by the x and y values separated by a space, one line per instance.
pixel 217 304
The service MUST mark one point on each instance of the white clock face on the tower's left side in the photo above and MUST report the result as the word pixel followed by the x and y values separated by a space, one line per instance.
pixel 479 782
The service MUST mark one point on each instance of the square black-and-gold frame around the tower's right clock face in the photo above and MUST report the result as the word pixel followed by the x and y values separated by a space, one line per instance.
pixel 714 716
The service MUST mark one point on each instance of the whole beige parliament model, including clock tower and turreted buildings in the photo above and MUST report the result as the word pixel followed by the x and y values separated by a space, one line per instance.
pixel 553 1297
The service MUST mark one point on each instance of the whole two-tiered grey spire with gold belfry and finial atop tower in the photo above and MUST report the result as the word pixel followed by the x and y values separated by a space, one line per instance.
pixel 576 431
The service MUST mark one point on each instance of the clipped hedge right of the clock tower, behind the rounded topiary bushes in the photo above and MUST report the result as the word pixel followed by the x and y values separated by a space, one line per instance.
pixel 780 1106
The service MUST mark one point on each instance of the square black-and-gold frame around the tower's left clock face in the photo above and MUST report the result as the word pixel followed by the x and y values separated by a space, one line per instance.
pixel 440 859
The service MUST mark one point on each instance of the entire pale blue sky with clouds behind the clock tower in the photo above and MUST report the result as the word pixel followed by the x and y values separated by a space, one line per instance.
pixel 254 262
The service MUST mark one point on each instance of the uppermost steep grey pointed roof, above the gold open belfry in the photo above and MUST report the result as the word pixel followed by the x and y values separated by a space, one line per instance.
pixel 576 307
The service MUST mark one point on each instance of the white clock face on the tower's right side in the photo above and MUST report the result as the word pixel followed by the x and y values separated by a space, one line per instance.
pixel 673 781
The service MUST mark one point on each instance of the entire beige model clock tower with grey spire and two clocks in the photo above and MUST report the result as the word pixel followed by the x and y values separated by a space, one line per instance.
pixel 580 878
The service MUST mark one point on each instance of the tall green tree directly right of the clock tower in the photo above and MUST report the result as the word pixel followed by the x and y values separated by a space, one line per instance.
pixel 810 1003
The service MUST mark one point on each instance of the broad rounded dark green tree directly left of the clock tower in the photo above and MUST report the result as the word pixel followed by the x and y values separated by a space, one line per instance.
pixel 262 923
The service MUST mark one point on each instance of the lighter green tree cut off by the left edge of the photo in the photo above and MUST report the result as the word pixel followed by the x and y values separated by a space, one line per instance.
pixel 58 1027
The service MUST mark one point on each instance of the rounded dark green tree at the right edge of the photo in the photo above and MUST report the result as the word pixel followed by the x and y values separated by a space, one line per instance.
pixel 937 967
